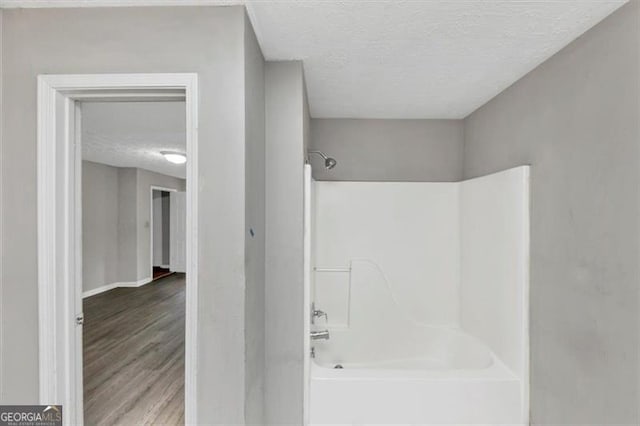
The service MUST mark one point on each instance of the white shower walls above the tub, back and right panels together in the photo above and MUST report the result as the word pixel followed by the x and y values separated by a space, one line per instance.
pixel 440 254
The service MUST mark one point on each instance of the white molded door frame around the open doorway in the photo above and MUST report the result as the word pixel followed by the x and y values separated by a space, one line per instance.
pixel 60 226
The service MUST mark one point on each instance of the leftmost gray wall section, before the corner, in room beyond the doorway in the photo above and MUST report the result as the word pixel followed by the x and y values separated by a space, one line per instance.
pixel 99 225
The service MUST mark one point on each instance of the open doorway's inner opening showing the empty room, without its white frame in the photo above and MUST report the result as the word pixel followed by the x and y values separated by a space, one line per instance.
pixel 133 317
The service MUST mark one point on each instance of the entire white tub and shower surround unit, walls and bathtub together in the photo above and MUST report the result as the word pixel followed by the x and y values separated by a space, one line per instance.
pixel 426 290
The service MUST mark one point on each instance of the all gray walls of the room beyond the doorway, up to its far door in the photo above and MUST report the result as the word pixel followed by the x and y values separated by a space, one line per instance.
pixel 116 199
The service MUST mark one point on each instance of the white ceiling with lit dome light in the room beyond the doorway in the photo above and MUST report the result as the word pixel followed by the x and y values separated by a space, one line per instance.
pixel 132 134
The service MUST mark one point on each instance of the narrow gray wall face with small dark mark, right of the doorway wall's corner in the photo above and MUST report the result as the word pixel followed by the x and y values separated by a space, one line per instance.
pixel 255 226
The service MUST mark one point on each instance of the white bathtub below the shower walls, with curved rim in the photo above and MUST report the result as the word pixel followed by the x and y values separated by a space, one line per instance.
pixel 419 375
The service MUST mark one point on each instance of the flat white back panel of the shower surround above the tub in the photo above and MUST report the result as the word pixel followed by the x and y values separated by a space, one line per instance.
pixel 410 231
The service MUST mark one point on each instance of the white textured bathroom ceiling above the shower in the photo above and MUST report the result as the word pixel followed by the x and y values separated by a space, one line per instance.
pixel 416 59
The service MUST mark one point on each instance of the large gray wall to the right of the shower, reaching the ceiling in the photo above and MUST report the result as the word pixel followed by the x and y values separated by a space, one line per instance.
pixel 575 119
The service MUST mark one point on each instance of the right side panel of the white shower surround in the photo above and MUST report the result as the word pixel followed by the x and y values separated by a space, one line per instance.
pixel 495 263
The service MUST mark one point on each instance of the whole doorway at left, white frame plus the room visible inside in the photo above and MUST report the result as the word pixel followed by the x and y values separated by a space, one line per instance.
pixel 104 348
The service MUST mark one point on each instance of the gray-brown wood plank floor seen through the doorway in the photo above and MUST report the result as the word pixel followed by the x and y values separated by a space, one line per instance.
pixel 133 345
